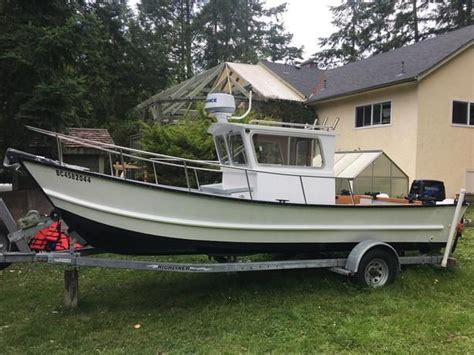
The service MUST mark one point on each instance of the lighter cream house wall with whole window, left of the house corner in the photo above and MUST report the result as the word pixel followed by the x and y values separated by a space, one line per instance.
pixel 397 140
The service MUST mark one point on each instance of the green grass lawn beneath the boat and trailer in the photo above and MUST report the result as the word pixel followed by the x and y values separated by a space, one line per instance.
pixel 426 310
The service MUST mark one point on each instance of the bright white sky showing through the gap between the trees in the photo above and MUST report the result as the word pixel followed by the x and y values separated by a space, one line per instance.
pixel 307 20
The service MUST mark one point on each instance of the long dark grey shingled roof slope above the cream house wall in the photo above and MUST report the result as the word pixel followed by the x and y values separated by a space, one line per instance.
pixel 389 68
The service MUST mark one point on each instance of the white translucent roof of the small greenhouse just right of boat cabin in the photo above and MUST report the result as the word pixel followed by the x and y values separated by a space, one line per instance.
pixel 349 165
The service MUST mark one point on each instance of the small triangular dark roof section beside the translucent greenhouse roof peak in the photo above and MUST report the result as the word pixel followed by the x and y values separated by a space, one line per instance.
pixel 302 79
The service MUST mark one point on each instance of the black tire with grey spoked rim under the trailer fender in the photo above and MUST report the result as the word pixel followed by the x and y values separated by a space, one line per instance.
pixel 377 268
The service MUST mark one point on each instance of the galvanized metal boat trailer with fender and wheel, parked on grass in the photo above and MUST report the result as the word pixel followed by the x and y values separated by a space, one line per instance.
pixel 362 262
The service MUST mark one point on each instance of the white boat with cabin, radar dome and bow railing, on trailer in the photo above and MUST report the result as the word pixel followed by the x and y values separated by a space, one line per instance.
pixel 277 194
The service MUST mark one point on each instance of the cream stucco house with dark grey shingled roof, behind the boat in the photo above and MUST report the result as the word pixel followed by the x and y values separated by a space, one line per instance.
pixel 415 103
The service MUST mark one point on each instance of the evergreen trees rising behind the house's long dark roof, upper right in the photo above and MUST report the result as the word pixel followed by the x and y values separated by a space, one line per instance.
pixel 368 28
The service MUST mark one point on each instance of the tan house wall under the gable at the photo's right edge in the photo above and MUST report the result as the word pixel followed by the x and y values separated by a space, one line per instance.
pixel 445 151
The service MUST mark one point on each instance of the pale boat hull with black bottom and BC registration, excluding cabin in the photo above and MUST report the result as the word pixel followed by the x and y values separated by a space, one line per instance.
pixel 132 217
